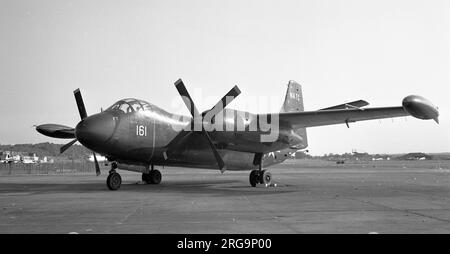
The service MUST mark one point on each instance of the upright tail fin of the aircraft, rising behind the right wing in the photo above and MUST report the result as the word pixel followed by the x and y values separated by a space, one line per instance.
pixel 293 102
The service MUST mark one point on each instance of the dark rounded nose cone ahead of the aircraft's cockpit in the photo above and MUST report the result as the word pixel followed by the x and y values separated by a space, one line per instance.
pixel 94 130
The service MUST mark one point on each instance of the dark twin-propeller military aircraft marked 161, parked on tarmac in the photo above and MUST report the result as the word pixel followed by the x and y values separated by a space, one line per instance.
pixel 136 135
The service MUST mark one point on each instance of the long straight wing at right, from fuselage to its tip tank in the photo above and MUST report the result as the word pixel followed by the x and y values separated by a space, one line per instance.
pixel 337 116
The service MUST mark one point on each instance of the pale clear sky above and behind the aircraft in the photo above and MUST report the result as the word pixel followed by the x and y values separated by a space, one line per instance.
pixel 339 51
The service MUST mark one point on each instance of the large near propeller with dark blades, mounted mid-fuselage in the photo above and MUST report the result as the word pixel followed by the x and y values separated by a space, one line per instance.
pixel 233 93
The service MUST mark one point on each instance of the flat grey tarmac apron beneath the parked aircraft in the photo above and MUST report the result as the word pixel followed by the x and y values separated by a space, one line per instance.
pixel 348 199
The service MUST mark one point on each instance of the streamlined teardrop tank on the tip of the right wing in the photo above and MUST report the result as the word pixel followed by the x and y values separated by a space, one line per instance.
pixel 420 107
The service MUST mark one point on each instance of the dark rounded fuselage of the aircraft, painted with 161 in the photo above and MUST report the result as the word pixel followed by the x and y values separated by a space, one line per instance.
pixel 142 137
